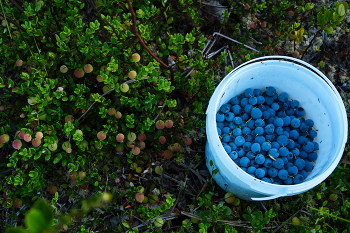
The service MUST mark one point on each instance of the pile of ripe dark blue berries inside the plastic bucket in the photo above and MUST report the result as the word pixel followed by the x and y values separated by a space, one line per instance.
pixel 266 134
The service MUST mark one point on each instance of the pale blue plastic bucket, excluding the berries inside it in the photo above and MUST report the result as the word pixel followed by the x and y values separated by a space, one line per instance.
pixel 316 94
